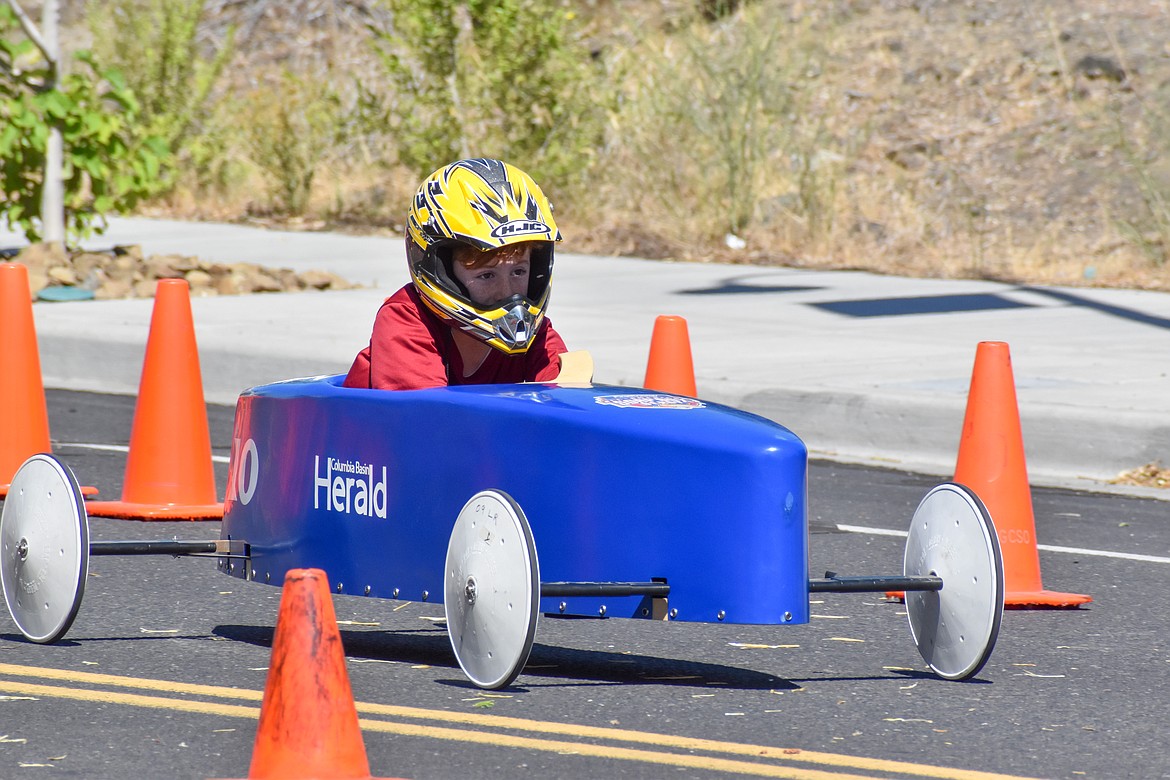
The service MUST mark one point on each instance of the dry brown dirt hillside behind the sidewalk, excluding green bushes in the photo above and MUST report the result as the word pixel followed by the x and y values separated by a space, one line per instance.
pixel 1002 140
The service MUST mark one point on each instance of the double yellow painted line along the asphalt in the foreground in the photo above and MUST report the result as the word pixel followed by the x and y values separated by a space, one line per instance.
pixel 790 757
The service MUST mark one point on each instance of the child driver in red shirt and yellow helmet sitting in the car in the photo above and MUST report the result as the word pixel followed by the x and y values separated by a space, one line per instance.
pixel 479 244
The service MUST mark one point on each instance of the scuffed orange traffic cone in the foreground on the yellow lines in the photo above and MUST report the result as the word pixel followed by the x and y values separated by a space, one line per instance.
pixel 308 721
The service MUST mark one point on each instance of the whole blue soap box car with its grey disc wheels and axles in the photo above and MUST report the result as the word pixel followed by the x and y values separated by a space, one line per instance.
pixel 506 502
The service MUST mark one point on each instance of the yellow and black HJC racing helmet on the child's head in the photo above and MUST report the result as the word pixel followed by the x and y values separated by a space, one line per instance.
pixel 483 204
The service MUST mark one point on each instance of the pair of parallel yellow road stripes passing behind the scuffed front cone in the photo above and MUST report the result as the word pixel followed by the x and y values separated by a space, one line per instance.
pixel 481 722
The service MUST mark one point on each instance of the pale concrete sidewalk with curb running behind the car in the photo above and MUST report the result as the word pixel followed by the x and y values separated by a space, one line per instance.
pixel 864 368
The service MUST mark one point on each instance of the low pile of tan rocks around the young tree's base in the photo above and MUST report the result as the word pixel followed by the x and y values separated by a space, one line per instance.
pixel 125 273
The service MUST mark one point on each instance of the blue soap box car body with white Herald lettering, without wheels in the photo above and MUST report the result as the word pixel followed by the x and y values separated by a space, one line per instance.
pixel 618 485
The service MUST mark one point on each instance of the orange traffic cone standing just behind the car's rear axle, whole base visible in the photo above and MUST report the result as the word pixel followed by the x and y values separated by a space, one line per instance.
pixel 169 470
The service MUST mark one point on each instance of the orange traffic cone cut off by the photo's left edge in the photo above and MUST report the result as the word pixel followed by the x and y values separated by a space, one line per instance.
pixel 26 427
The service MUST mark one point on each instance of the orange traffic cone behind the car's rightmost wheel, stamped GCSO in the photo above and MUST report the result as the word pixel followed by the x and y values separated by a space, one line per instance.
pixel 992 464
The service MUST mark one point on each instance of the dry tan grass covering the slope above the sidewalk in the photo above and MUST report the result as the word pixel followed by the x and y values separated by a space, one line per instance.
pixel 949 139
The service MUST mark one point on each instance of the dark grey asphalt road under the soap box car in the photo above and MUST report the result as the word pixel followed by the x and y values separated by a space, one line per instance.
pixel 163 671
